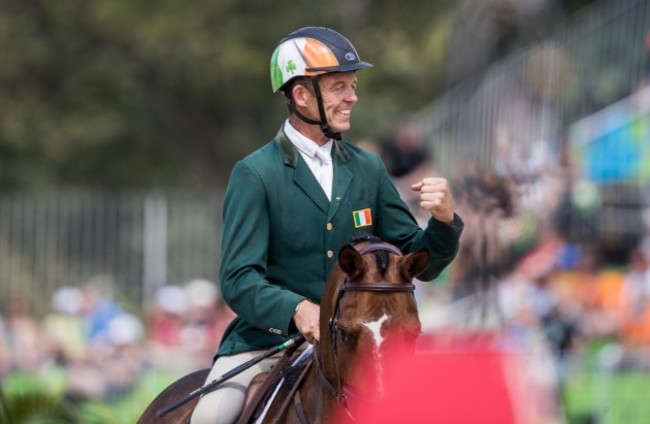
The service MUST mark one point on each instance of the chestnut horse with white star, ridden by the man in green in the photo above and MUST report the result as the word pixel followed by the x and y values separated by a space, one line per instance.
pixel 368 311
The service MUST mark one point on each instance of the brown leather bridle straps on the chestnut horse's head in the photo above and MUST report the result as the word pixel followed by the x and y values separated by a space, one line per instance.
pixel 340 390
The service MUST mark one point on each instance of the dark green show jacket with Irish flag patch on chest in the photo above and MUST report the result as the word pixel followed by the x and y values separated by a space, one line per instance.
pixel 281 235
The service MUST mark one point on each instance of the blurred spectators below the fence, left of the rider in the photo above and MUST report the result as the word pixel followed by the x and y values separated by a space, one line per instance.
pixel 102 348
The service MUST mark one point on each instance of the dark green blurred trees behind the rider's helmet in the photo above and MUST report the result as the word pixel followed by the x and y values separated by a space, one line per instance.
pixel 140 94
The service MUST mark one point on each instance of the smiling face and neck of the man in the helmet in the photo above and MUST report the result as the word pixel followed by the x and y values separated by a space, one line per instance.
pixel 338 92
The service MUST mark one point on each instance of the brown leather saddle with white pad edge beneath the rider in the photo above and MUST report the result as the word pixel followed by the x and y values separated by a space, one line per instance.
pixel 278 387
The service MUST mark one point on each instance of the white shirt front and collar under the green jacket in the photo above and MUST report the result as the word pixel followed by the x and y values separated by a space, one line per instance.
pixel 318 158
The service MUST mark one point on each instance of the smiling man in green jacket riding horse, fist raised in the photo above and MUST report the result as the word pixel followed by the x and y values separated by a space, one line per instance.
pixel 292 204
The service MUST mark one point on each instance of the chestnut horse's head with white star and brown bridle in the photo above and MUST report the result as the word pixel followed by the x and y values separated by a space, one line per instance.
pixel 368 312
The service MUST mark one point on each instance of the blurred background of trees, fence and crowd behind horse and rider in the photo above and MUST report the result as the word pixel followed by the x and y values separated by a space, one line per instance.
pixel 120 121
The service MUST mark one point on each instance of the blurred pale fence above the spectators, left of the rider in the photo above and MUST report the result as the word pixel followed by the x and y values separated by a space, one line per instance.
pixel 129 244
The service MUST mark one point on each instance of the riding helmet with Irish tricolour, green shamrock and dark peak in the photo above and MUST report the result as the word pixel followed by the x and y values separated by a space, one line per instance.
pixel 312 51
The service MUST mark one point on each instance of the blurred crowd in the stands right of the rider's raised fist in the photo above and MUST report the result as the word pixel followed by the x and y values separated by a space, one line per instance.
pixel 532 256
